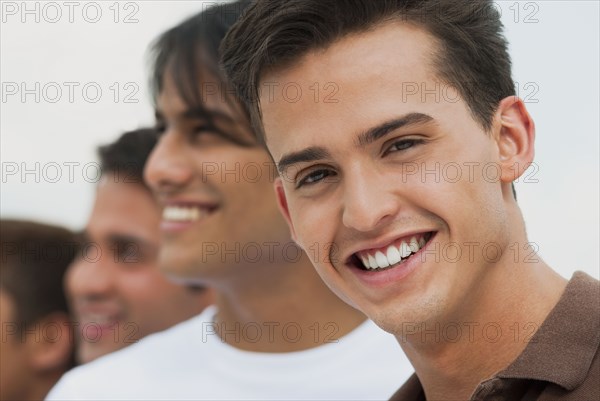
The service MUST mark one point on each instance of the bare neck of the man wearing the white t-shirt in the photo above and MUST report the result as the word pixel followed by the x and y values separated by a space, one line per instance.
pixel 281 307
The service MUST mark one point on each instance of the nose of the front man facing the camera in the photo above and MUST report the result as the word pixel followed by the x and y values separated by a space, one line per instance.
pixel 369 201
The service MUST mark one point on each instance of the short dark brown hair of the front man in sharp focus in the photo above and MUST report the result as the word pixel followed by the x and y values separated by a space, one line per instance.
pixel 472 52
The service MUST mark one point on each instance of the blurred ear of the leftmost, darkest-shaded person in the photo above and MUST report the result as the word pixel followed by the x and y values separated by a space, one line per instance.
pixel 52 347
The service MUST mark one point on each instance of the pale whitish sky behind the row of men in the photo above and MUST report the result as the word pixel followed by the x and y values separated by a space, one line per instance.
pixel 555 51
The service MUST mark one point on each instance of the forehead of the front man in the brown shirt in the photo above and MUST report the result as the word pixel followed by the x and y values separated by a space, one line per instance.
pixel 349 78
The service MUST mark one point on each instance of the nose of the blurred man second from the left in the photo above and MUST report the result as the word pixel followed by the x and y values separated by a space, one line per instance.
pixel 90 277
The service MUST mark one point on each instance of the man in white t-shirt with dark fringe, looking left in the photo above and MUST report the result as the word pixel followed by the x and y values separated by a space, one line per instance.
pixel 276 331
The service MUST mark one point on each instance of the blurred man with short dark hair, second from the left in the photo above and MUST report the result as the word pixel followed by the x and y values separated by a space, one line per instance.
pixel 116 291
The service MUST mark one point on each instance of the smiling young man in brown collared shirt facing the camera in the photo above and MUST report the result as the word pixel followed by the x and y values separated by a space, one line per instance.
pixel 361 103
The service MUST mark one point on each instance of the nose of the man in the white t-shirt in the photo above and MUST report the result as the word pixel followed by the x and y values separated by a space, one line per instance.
pixel 167 168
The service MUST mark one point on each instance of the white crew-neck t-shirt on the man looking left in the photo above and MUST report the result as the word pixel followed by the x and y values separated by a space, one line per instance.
pixel 190 362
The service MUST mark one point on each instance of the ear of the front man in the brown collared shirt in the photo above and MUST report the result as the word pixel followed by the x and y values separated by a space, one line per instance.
pixel 516 138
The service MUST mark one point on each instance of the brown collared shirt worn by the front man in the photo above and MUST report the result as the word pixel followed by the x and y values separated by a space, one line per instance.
pixel 561 362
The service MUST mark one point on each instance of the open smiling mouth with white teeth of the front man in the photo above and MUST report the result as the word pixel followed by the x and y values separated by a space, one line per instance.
pixel 393 255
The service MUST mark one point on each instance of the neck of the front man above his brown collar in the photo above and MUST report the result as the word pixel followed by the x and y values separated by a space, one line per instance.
pixel 494 324
